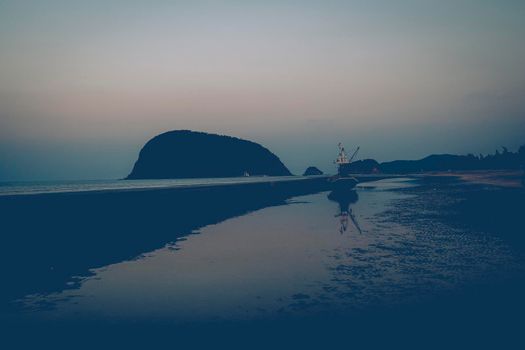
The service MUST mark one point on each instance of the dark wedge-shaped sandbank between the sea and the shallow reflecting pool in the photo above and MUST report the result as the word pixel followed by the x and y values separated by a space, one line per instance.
pixel 49 238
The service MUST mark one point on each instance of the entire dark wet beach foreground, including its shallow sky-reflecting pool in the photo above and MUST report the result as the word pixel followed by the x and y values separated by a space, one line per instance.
pixel 439 263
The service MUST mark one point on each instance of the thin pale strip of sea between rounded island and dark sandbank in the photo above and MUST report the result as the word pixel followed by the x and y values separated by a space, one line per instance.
pixel 42 187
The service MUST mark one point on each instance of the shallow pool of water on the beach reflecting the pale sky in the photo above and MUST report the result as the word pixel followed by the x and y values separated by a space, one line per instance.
pixel 284 260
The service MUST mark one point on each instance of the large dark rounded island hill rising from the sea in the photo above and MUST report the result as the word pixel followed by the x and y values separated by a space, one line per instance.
pixel 191 154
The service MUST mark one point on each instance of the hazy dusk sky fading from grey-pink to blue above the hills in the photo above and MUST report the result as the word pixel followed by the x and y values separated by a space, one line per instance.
pixel 84 84
